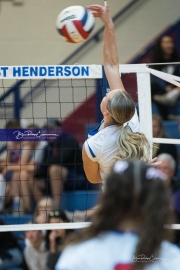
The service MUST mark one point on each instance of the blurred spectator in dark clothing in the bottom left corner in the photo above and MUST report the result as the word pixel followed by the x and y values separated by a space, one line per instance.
pixel 10 251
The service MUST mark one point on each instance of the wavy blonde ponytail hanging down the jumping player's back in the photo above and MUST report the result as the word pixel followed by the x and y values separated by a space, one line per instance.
pixel 133 145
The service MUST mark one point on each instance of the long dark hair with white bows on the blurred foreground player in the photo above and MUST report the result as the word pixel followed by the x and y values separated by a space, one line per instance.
pixel 136 198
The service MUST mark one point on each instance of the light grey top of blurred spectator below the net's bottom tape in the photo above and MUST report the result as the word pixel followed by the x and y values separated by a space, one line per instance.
pixel 35 252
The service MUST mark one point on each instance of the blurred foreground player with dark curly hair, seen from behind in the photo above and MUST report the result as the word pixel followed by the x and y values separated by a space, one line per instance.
pixel 127 231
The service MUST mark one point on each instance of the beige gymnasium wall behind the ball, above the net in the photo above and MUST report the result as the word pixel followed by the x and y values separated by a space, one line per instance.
pixel 28 35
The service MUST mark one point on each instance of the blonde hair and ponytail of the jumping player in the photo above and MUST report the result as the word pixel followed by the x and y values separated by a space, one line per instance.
pixel 131 145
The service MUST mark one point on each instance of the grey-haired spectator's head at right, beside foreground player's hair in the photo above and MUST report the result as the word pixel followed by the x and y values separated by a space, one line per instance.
pixel 168 165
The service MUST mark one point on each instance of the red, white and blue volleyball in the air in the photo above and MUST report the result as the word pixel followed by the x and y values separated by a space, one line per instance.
pixel 75 23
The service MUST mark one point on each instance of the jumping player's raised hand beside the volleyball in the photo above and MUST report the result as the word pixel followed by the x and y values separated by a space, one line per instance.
pixel 100 12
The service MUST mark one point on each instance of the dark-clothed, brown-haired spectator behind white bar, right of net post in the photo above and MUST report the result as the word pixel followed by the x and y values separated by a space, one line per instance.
pixel 159 132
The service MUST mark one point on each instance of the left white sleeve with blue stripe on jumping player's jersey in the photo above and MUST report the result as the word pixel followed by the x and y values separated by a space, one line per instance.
pixel 93 147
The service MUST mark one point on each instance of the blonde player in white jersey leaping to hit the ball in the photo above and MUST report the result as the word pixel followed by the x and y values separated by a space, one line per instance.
pixel 119 134
